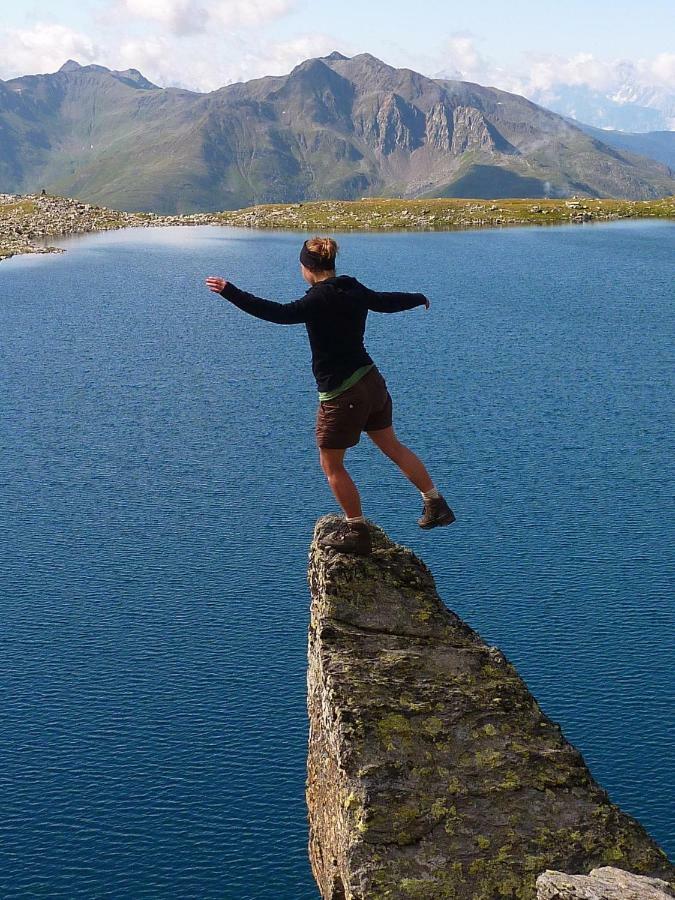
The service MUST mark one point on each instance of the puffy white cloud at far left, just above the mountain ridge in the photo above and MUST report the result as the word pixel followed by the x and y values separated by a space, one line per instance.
pixel 43 48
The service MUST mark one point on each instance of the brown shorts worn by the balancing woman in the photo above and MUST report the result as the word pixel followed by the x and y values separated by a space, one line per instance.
pixel 365 406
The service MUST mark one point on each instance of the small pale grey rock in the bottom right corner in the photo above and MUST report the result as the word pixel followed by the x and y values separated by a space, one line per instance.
pixel 605 883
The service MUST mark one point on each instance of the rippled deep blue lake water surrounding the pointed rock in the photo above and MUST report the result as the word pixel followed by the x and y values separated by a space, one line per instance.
pixel 159 487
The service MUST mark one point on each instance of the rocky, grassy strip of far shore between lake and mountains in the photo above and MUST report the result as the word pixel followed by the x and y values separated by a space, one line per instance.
pixel 28 221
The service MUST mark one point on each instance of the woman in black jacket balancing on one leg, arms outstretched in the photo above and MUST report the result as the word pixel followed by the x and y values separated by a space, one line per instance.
pixel 353 395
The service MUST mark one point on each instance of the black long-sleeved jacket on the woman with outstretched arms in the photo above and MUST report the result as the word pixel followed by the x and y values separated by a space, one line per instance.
pixel 334 312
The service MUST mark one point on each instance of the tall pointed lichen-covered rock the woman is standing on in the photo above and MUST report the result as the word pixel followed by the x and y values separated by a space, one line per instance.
pixel 432 771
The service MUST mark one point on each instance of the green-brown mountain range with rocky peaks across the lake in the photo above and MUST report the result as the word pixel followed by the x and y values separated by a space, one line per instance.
pixel 333 127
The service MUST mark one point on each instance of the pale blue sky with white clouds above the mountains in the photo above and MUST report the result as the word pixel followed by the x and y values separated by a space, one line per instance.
pixel 524 46
